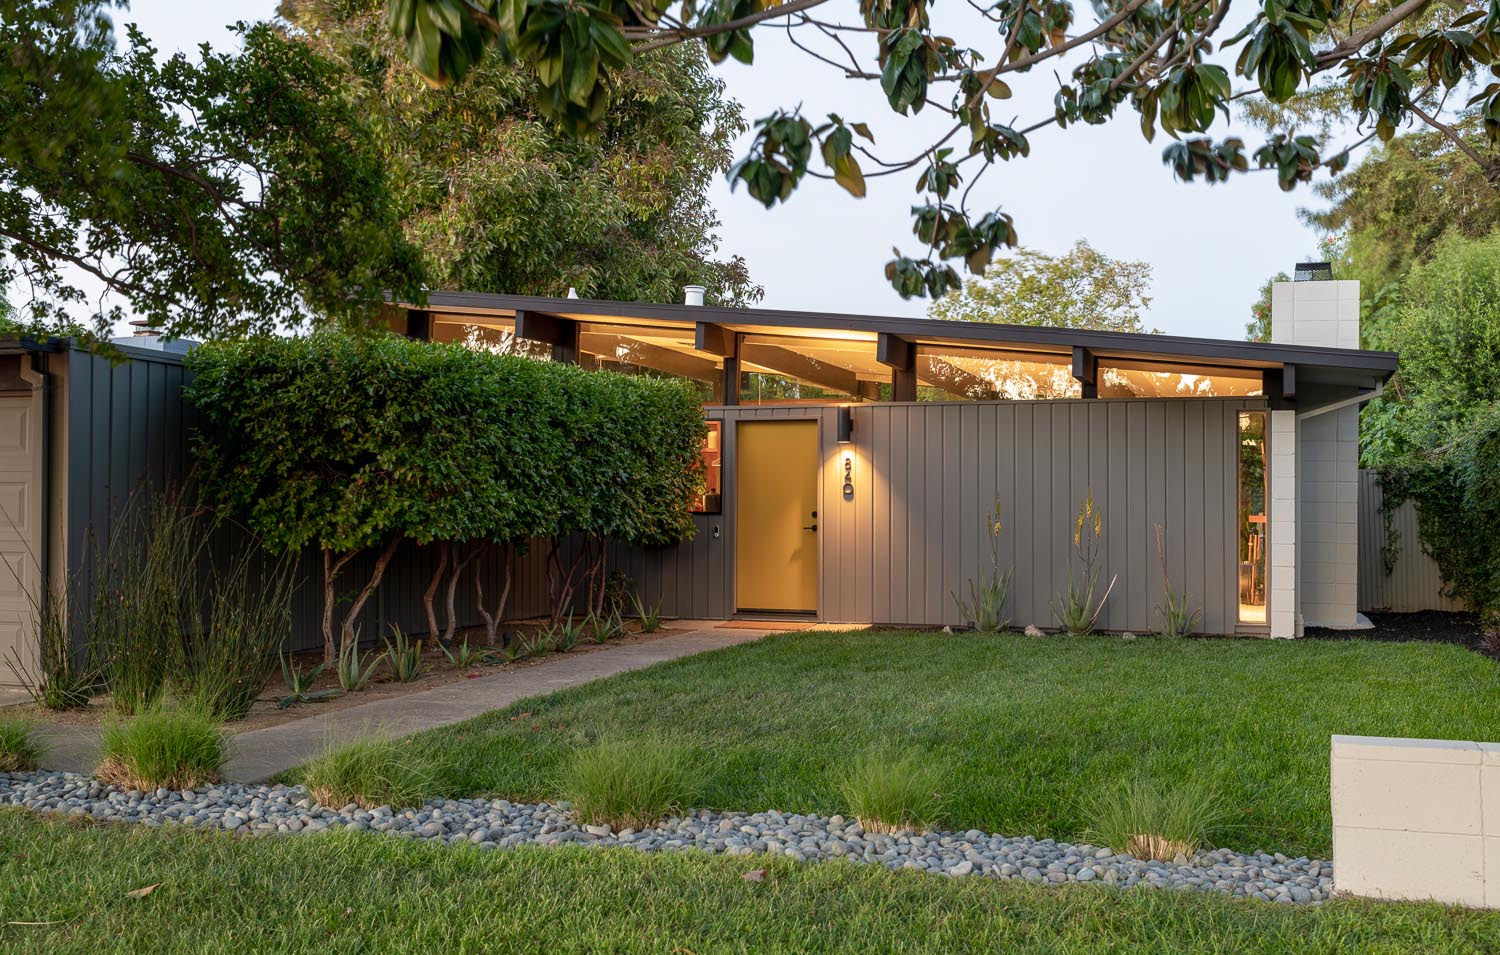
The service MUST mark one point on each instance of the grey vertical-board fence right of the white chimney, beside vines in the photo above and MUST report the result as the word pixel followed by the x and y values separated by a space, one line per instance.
pixel 1414 584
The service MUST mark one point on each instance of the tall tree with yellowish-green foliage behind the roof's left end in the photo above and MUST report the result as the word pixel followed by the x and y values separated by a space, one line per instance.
pixel 499 200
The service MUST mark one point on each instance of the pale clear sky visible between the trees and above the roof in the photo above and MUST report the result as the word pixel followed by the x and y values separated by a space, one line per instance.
pixel 1210 248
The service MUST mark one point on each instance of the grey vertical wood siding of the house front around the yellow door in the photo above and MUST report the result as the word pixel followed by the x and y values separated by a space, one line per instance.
pixel 926 475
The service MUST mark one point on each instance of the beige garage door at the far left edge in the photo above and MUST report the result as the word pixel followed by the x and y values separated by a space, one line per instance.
pixel 20 539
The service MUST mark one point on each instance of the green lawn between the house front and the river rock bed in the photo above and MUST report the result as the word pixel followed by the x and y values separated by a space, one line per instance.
pixel 1024 728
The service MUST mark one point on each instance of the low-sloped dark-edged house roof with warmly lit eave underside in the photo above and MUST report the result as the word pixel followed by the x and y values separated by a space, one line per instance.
pixel 1331 365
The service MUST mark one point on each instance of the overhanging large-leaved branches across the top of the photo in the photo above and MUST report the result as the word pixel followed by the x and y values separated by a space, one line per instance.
pixel 1397 64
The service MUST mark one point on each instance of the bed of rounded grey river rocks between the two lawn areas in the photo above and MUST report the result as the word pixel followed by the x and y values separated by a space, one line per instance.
pixel 499 824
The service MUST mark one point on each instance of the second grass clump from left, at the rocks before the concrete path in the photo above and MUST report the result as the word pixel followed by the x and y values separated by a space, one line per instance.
pixel 164 747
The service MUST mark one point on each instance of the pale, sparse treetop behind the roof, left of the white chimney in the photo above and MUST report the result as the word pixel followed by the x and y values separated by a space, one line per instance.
pixel 1084 289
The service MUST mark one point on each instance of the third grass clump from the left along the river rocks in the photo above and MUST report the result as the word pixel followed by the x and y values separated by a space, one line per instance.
pixel 370 773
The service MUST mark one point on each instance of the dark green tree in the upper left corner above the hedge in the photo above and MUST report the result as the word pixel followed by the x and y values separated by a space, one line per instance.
pixel 218 196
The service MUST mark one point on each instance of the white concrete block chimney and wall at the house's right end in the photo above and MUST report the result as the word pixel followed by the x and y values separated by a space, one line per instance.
pixel 1324 536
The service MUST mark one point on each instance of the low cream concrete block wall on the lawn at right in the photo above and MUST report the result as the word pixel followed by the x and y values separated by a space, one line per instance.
pixel 1417 819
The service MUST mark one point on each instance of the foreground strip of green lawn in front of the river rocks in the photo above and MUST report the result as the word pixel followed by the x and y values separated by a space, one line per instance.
pixel 361 893
